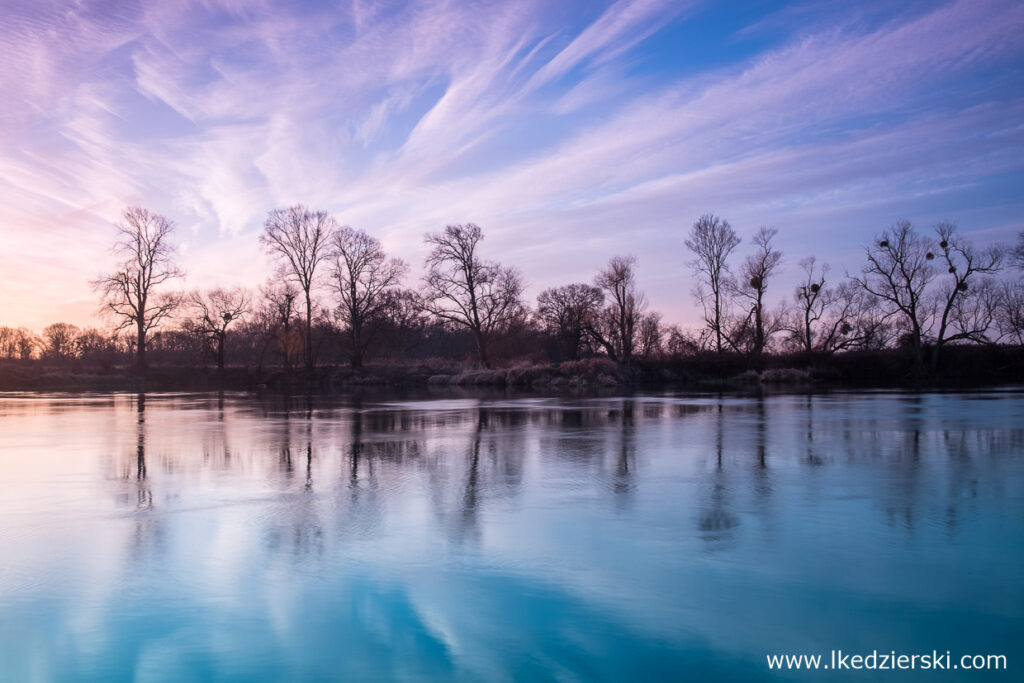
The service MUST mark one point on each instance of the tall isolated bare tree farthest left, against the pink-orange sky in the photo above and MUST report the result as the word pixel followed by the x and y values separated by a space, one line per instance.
pixel 132 293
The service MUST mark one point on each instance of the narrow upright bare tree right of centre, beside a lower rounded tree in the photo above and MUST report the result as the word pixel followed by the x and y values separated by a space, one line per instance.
pixel 618 325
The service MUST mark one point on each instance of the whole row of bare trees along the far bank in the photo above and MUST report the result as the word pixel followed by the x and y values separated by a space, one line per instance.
pixel 338 298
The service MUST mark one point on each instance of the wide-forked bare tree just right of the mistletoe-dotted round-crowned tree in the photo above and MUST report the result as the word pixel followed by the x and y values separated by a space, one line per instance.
pixel 970 316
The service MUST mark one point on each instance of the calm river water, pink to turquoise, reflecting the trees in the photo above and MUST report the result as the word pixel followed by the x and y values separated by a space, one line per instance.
pixel 197 537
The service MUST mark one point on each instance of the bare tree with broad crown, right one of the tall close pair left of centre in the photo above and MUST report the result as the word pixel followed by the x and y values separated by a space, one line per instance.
pixel 363 277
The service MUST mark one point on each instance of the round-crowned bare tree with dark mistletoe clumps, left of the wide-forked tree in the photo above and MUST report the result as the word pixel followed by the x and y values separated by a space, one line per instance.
pixel 898 274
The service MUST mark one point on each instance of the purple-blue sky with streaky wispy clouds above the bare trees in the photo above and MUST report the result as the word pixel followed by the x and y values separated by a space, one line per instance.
pixel 570 132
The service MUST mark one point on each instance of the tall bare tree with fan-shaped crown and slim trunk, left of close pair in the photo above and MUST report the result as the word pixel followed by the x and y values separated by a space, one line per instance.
pixel 301 239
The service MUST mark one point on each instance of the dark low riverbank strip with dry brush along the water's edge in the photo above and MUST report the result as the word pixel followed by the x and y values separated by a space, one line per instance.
pixel 962 367
